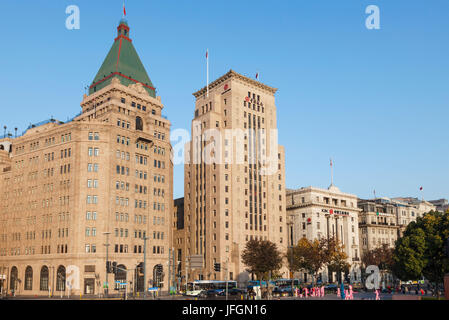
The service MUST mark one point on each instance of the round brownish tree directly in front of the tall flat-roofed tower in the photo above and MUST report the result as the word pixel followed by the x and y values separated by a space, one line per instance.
pixel 261 257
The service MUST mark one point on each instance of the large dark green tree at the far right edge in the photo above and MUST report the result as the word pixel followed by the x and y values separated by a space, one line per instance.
pixel 421 251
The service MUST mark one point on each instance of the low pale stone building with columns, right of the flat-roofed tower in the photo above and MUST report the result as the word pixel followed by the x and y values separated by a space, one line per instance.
pixel 316 213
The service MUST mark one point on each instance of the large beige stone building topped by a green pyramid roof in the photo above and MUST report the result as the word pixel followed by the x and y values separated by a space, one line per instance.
pixel 64 185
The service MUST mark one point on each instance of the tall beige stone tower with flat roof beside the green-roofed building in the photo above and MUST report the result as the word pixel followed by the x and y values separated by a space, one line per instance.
pixel 234 176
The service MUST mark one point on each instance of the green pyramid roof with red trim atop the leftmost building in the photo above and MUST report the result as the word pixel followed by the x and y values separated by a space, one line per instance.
pixel 122 62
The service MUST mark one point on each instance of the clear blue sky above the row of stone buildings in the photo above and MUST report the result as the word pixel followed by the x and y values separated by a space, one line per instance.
pixel 376 101
